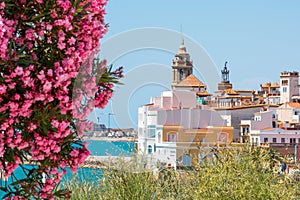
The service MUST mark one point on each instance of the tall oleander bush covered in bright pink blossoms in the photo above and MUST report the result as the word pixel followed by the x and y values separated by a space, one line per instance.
pixel 49 83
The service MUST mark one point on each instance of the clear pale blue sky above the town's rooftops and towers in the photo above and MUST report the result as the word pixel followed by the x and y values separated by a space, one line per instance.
pixel 259 39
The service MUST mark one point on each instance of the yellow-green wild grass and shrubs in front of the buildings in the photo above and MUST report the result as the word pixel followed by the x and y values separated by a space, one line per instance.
pixel 240 174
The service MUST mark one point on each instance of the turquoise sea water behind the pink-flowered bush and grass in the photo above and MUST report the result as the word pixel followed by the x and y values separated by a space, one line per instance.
pixel 97 148
